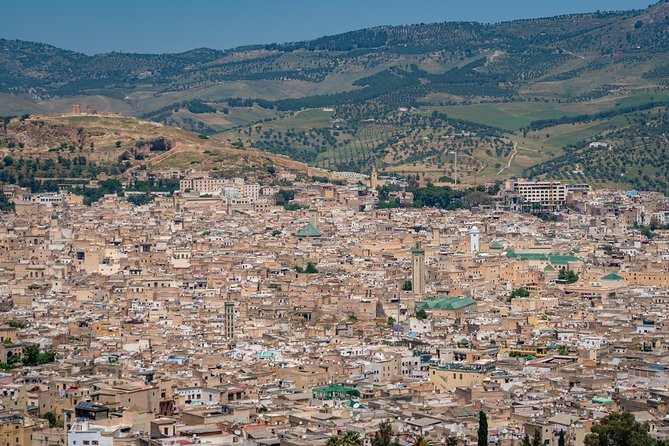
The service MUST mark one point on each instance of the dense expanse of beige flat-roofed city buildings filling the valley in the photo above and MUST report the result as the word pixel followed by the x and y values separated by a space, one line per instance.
pixel 299 343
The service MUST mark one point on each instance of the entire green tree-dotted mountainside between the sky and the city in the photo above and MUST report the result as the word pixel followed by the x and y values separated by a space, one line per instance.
pixel 402 98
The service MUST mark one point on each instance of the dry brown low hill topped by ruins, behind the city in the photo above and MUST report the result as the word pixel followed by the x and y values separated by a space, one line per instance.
pixel 43 151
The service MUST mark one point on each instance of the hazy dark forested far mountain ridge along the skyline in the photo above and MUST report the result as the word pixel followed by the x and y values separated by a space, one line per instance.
pixel 523 50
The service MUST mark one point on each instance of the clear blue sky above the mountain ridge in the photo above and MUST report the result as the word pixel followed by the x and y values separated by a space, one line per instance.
pixel 94 26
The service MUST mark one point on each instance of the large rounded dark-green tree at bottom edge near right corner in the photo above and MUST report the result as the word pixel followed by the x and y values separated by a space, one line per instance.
pixel 619 429
